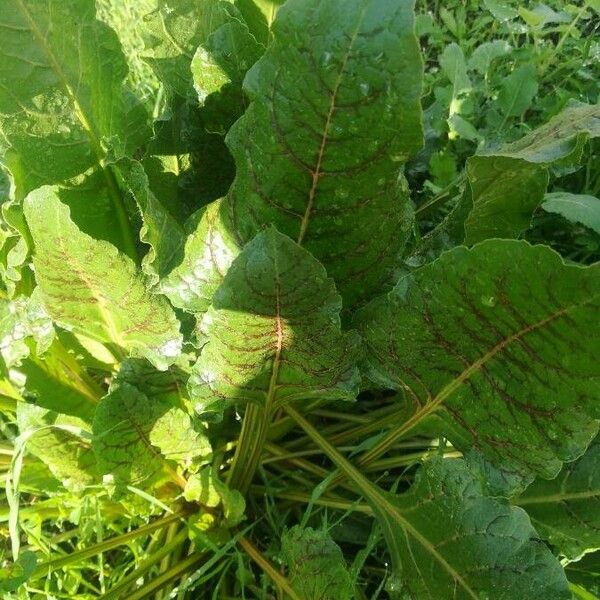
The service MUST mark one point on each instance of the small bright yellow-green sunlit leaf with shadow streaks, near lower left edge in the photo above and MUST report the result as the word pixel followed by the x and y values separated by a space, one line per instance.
pixel 61 442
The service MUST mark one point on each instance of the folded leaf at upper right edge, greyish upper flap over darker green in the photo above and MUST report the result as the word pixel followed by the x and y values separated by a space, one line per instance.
pixel 509 183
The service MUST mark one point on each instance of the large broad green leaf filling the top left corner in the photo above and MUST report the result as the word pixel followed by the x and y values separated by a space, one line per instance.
pixel 61 100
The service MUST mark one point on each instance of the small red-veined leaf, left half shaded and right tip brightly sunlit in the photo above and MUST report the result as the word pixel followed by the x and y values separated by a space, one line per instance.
pixel 133 434
